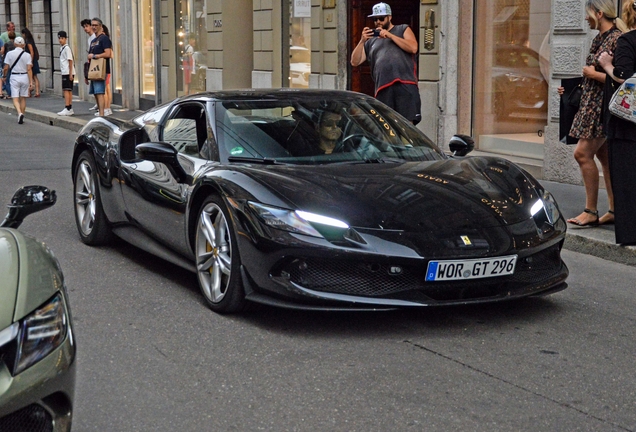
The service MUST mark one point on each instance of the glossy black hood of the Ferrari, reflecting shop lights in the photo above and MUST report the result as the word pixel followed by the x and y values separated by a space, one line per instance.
pixel 475 192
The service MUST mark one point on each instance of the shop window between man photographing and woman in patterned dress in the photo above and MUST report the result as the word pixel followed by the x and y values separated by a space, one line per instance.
pixel 511 52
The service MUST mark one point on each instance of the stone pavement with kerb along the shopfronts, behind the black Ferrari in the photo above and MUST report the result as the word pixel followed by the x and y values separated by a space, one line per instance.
pixel 598 241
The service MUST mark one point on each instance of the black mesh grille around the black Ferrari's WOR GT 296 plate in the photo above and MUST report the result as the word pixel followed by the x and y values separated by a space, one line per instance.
pixel 384 280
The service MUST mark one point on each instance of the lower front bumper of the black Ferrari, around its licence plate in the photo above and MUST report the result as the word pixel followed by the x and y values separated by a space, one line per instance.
pixel 340 284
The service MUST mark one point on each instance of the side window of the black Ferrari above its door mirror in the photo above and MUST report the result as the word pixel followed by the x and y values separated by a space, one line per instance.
pixel 186 129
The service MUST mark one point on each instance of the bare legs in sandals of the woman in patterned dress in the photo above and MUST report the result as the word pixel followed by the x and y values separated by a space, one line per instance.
pixel 584 154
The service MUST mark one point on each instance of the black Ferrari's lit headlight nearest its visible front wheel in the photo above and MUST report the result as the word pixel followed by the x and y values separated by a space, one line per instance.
pixel 296 220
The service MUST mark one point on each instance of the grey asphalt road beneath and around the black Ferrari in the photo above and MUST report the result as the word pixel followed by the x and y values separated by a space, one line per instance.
pixel 152 357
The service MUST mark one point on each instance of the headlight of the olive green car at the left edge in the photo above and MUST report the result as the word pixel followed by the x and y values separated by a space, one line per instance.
pixel 40 333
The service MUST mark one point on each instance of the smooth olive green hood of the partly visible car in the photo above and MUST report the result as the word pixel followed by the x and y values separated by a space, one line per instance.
pixel 30 275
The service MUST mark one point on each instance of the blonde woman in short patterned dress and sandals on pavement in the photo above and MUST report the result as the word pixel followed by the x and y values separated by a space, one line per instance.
pixel 601 15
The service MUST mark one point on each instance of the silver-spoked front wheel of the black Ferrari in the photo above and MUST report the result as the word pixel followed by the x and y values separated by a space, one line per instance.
pixel 217 258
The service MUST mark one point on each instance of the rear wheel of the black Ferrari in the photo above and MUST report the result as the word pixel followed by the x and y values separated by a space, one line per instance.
pixel 90 218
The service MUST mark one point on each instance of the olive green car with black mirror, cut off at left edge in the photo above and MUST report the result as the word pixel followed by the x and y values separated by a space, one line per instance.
pixel 37 346
